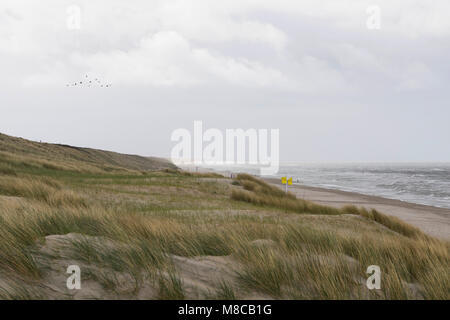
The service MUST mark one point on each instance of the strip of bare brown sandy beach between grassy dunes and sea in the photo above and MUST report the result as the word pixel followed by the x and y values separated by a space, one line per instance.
pixel 432 220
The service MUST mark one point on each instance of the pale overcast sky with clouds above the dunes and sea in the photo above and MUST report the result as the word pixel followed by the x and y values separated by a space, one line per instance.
pixel 336 89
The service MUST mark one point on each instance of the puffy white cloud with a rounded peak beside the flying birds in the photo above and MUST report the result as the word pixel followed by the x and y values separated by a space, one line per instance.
pixel 167 58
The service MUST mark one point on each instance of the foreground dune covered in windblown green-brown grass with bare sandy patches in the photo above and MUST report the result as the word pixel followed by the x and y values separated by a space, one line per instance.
pixel 169 234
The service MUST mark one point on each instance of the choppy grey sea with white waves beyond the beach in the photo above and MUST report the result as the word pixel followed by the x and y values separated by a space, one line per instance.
pixel 422 183
